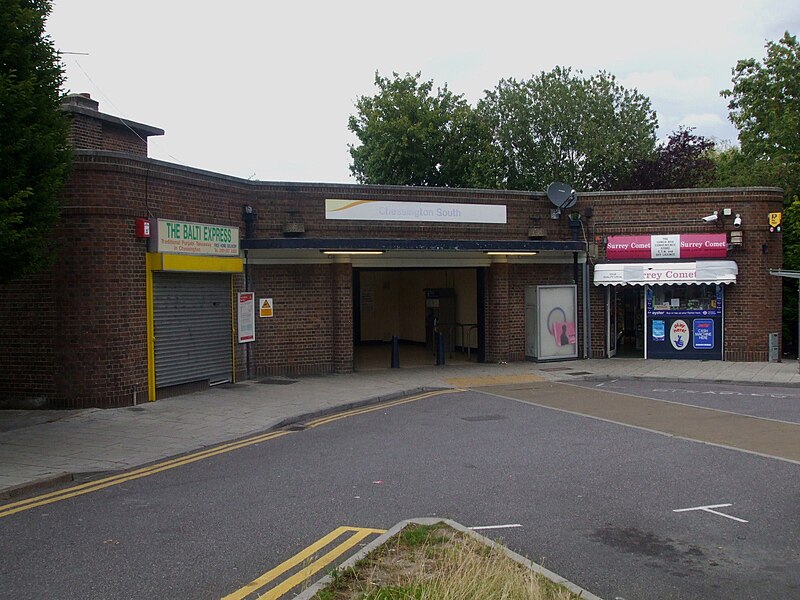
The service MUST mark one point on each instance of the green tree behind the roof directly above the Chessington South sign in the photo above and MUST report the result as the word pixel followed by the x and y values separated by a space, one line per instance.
pixel 410 135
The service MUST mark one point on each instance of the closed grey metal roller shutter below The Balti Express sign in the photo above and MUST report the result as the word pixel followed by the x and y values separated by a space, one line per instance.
pixel 192 320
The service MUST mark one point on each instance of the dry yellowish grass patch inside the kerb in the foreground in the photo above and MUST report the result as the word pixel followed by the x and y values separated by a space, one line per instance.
pixel 436 562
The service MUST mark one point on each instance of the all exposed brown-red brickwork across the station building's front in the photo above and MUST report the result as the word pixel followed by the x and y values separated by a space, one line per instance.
pixel 76 335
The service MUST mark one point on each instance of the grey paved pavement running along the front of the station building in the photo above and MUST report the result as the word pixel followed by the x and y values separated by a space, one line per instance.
pixel 42 448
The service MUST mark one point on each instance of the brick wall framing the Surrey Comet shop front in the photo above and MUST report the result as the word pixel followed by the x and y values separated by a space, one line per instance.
pixel 752 306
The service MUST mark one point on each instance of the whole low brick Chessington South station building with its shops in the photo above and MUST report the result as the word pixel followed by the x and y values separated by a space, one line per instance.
pixel 335 269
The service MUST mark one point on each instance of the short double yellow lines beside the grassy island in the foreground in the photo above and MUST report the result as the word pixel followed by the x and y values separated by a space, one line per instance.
pixel 358 534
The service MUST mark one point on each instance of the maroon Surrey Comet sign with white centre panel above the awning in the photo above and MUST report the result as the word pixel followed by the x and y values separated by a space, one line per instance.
pixel 648 247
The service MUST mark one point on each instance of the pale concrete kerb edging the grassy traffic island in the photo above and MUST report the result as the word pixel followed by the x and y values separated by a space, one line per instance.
pixel 309 592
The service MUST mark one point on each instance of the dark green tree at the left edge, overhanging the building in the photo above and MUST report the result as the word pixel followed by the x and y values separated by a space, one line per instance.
pixel 33 138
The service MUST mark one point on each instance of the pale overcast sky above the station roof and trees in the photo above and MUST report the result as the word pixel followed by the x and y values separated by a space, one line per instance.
pixel 263 90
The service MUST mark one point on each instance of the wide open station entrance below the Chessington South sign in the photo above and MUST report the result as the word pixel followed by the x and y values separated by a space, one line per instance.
pixel 413 305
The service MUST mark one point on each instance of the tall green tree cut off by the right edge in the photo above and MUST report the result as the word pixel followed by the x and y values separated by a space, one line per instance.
pixel 764 104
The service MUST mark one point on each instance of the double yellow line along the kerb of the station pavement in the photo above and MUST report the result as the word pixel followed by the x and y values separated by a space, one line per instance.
pixel 99 484
